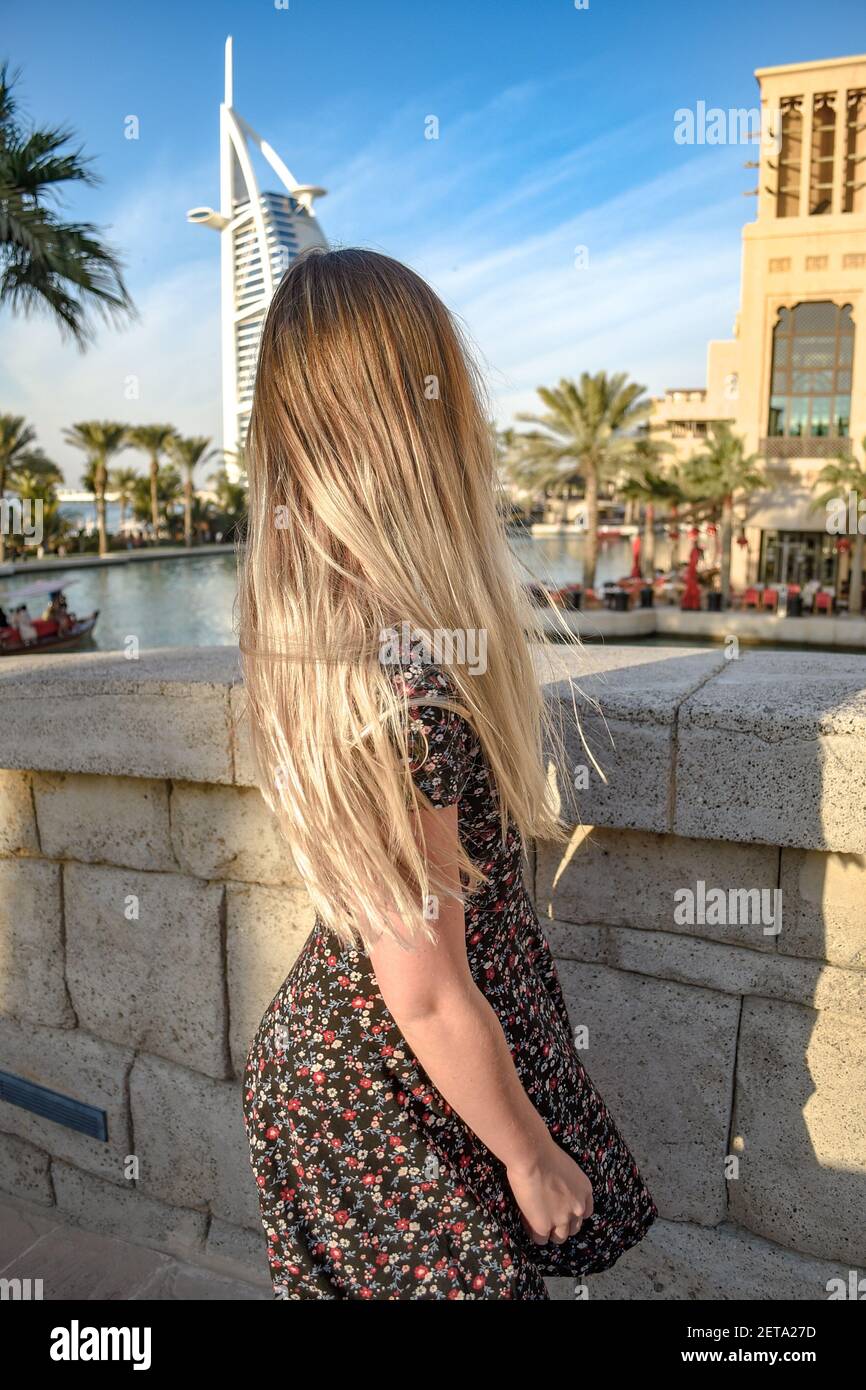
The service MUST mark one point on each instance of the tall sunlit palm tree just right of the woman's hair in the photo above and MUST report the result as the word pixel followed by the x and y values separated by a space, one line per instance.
pixel 585 432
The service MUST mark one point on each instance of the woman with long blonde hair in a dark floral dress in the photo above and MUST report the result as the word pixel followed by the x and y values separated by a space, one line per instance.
pixel 419 1120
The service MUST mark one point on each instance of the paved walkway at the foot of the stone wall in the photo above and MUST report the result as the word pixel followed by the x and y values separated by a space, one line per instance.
pixel 74 1264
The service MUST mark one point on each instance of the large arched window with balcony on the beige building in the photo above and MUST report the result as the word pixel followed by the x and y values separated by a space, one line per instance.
pixel 812 361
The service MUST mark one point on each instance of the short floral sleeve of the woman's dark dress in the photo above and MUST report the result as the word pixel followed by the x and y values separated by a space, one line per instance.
pixel 443 744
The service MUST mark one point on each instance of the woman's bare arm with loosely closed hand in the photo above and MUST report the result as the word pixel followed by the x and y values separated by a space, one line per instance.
pixel 459 1042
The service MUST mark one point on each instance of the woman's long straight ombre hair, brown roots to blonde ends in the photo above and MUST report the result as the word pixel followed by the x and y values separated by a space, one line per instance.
pixel 372 509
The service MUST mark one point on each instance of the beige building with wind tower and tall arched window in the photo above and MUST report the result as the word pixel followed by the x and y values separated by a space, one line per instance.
pixel 793 380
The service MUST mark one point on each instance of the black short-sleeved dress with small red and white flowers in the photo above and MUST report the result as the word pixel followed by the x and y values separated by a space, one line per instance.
pixel 370 1186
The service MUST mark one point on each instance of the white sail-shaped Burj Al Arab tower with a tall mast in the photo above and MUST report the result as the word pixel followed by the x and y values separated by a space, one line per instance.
pixel 261 234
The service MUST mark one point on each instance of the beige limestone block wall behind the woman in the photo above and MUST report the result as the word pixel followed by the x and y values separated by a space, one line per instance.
pixel 149 913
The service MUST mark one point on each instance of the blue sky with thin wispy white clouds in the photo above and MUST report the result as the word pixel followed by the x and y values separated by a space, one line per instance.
pixel 555 133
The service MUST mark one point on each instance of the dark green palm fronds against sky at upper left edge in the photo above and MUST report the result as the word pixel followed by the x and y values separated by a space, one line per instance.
pixel 47 262
